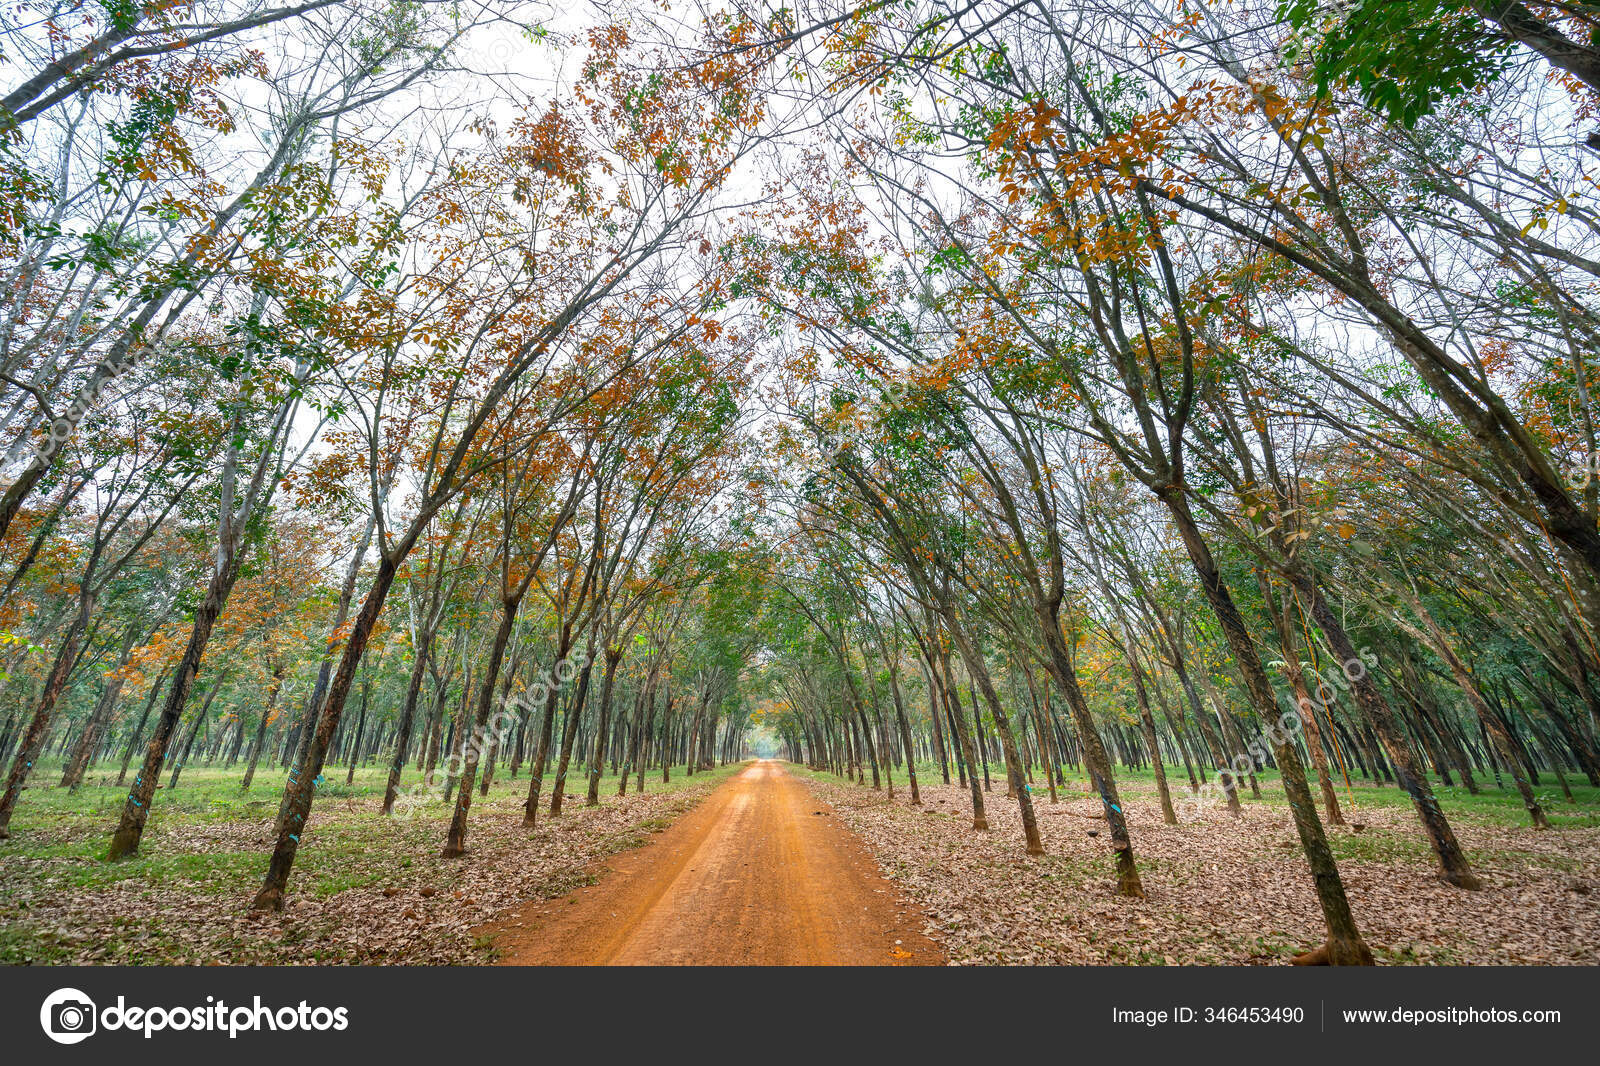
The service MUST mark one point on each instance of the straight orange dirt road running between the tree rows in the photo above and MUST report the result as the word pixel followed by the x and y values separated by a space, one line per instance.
pixel 759 875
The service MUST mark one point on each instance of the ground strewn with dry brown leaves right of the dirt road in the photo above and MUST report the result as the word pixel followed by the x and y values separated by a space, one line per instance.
pixel 1231 892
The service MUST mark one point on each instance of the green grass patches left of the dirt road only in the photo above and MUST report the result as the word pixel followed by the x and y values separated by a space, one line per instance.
pixel 210 841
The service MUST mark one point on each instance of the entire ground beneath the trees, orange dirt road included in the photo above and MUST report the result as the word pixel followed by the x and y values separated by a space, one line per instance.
pixel 374 891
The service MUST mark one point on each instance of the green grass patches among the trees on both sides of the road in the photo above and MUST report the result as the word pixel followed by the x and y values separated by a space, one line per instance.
pixel 209 841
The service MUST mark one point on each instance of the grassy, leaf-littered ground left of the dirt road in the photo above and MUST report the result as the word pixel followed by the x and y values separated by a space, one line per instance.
pixel 366 889
